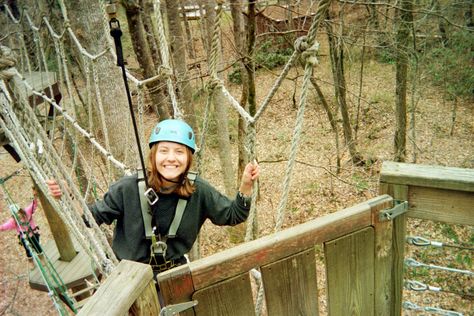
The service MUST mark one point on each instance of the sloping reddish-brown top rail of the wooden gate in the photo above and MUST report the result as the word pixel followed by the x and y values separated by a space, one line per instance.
pixel 244 257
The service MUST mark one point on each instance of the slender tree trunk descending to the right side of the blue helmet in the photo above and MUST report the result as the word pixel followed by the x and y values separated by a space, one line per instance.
pixel 178 55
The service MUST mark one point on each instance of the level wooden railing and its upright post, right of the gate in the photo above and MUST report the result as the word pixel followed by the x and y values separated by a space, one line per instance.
pixel 442 194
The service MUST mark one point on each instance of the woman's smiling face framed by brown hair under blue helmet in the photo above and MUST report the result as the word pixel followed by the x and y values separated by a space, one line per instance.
pixel 171 160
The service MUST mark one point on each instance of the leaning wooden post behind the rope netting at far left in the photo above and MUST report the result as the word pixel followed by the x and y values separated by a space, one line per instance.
pixel 58 228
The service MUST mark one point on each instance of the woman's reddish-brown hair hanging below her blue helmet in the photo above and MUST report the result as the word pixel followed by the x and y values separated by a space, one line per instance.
pixel 184 189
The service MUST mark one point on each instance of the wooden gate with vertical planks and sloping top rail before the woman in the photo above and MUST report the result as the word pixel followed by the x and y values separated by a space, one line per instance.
pixel 357 269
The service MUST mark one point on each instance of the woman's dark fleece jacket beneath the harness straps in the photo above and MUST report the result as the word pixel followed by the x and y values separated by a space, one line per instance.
pixel 122 203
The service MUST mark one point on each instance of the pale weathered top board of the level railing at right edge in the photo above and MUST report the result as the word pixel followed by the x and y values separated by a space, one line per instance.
pixel 427 176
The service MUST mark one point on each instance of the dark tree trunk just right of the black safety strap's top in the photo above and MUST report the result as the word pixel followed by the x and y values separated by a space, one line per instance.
pixel 144 57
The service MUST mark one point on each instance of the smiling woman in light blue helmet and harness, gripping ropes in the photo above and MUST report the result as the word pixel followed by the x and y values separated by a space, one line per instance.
pixel 184 202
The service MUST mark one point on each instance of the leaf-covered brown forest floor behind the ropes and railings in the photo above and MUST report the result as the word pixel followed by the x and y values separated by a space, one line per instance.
pixel 316 188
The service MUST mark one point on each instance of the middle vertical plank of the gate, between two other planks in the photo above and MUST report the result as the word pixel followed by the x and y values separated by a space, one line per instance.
pixel 290 285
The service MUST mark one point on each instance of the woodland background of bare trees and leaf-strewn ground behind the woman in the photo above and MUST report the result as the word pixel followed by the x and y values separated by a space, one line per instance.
pixel 395 82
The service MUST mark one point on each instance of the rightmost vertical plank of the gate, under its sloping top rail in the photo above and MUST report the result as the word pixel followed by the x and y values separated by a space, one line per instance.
pixel 350 274
